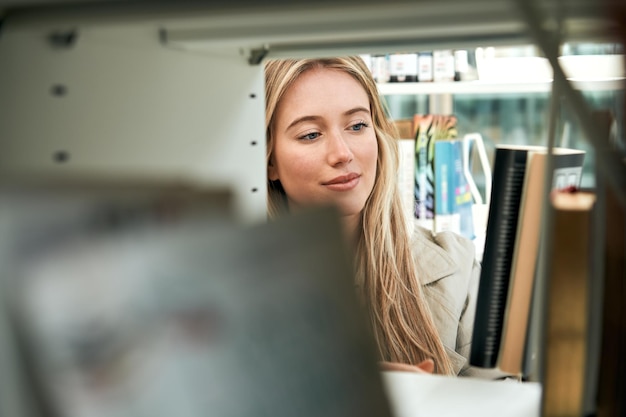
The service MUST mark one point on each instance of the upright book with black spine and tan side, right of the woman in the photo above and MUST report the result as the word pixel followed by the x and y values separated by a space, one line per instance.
pixel 511 248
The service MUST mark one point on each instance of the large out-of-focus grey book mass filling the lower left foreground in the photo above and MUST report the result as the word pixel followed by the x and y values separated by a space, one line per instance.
pixel 191 316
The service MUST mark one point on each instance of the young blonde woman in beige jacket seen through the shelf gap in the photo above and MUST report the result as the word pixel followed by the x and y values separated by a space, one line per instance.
pixel 329 141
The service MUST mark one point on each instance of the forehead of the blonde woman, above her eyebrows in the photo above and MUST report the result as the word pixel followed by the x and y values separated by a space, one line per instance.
pixel 319 91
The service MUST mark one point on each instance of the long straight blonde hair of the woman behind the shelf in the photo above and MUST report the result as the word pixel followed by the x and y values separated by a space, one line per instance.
pixel 385 269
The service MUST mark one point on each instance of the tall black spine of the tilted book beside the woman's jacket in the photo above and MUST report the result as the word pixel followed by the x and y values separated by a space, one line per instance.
pixel 508 182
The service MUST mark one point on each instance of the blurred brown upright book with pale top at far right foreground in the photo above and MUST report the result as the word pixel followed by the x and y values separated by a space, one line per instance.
pixel 568 274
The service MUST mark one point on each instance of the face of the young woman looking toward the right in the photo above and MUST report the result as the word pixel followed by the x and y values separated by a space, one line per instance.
pixel 325 147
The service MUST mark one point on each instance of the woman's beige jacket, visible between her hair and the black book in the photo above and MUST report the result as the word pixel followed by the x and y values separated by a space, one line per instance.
pixel 449 273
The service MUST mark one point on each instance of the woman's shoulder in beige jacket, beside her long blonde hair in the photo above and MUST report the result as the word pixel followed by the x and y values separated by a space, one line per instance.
pixel 441 255
